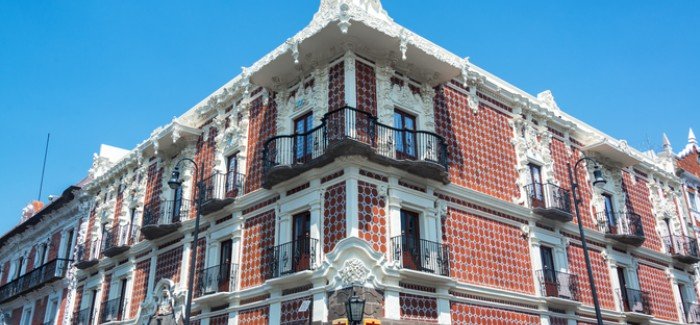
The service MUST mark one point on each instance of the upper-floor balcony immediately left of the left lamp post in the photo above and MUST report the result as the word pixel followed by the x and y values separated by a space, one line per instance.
pixel 165 218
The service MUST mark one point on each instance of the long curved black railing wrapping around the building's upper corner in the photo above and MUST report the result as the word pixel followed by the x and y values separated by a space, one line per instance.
pixel 351 124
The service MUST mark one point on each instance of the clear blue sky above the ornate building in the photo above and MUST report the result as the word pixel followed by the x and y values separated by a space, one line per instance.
pixel 109 71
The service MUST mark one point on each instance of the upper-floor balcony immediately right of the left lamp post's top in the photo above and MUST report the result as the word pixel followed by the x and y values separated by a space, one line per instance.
pixel 220 190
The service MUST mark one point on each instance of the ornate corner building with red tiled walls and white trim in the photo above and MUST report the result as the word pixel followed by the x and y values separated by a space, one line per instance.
pixel 360 158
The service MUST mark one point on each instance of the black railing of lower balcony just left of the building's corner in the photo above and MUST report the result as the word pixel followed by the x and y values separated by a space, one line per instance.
pixel 292 257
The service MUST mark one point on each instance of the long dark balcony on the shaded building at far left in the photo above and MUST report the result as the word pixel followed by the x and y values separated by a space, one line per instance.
pixel 45 274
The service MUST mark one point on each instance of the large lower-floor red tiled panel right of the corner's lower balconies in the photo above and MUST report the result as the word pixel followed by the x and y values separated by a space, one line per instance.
pixel 487 252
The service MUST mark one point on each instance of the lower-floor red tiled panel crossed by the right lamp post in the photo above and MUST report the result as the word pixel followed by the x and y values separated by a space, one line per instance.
pixel 601 274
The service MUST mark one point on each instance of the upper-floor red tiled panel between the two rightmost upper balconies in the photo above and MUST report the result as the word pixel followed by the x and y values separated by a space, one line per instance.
pixel 639 202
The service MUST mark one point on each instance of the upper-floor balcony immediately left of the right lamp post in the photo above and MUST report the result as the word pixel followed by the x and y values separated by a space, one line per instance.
pixel 550 201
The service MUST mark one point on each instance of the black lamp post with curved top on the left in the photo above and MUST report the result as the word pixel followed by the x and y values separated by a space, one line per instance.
pixel 175 183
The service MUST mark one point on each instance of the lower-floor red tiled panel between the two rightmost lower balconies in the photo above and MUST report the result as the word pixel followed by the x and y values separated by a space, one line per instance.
pixel 656 283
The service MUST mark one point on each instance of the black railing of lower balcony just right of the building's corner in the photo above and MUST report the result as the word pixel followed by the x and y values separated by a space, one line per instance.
pixel 421 255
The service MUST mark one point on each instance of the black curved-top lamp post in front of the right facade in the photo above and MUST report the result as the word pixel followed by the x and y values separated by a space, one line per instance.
pixel 598 182
